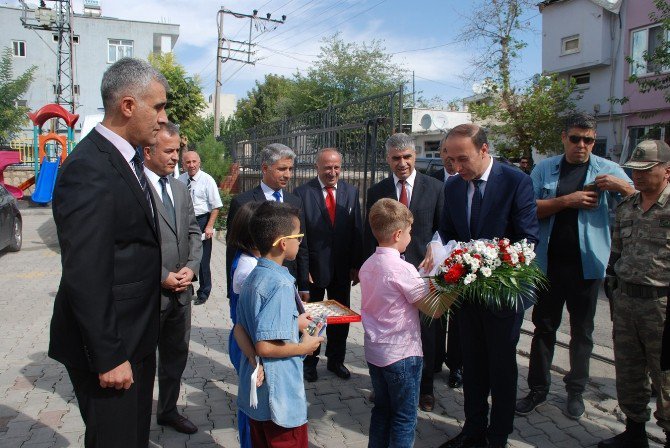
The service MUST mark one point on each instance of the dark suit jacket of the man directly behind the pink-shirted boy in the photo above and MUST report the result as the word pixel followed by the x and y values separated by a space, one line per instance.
pixel 425 204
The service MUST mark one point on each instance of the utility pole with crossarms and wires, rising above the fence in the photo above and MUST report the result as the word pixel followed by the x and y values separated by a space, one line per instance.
pixel 219 49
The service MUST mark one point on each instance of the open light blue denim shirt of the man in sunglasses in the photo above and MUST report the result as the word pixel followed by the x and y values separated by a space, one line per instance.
pixel 593 225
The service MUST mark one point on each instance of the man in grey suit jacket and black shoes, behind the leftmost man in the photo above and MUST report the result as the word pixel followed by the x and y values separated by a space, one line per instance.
pixel 181 250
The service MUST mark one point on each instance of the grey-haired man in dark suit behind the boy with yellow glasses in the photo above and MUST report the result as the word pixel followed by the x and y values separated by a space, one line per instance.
pixel 277 167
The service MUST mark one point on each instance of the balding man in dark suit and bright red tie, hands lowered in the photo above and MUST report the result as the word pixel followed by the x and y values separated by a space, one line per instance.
pixel 334 233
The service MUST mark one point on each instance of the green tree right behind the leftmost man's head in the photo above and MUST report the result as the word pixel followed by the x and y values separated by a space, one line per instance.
pixel 185 99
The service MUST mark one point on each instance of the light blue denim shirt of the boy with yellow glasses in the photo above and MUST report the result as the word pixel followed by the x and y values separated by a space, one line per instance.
pixel 267 310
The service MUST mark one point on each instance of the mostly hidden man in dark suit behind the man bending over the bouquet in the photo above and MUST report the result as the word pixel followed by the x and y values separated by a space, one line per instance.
pixel 453 355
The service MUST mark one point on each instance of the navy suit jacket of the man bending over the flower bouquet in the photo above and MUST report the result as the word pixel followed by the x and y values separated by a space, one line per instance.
pixel 508 208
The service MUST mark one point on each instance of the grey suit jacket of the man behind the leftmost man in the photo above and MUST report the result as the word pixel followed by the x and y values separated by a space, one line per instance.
pixel 181 246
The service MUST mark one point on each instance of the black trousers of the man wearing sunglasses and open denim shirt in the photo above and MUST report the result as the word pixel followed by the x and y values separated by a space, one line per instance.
pixel 568 287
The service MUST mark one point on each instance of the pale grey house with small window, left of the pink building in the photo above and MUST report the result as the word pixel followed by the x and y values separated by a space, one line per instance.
pixel 586 40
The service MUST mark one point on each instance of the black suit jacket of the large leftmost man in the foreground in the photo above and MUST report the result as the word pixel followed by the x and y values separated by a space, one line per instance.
pixel 107 306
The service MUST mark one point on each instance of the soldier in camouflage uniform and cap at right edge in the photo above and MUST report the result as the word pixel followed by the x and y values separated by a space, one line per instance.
pixel 641 263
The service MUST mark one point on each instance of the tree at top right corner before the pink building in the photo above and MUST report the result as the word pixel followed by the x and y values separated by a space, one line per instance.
pixel 658 60
